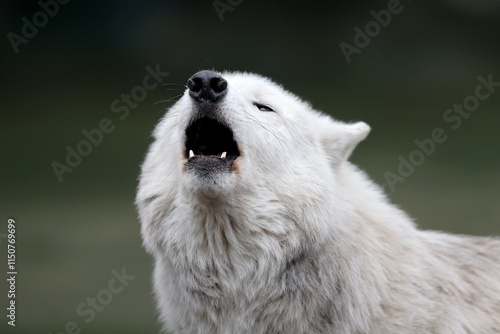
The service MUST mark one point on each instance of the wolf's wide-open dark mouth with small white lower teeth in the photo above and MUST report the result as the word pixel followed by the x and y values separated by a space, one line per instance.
pixel 208 138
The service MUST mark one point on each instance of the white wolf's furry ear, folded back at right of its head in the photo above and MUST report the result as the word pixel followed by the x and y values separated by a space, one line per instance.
pixel 340 139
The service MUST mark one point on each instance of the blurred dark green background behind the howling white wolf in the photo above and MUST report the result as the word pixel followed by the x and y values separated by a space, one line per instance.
pixel 65 70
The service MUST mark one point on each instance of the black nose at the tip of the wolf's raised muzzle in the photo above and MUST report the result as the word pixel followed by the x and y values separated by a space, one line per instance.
pixel 207 86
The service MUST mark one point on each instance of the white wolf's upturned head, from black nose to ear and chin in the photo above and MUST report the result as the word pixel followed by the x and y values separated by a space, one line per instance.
pixel 232 130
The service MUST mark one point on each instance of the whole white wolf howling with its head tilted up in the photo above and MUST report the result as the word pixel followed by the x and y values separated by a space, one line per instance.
pixel 259 224
